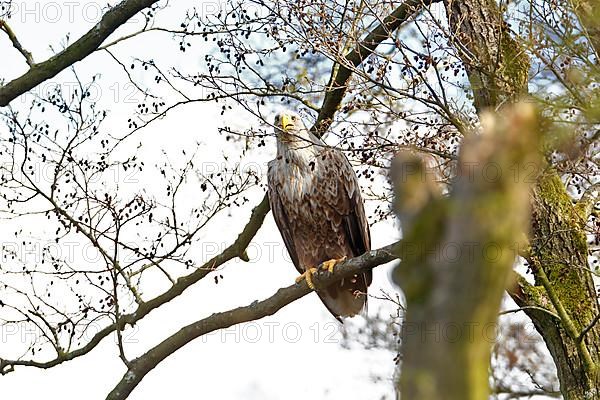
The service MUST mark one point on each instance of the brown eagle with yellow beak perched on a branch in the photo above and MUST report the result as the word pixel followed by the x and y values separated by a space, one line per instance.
pixel 316 203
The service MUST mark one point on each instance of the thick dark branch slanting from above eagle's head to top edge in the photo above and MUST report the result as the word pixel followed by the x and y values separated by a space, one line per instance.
pixel 341 73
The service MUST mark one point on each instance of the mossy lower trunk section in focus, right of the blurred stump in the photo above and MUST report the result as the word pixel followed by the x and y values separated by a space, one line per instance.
pixel 564 286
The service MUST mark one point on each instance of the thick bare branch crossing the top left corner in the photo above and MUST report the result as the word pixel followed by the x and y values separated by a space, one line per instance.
pixel 82 48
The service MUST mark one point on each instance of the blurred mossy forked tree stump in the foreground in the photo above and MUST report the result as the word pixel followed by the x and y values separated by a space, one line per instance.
pixel 457 255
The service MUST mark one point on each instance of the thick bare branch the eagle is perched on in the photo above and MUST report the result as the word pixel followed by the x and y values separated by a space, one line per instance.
pixel 258 309
